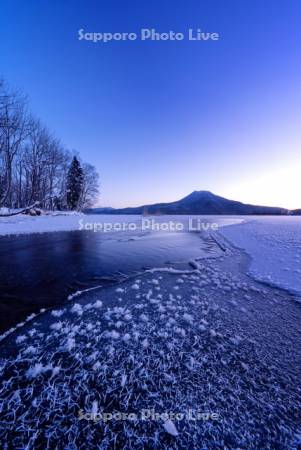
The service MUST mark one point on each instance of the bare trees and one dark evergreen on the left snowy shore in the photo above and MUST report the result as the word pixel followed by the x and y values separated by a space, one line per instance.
pixel 34 166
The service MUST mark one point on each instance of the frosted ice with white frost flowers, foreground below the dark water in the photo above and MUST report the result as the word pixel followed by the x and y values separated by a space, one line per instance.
pixel 203 337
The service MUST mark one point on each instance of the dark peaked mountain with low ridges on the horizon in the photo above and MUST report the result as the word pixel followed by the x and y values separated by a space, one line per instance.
pixel 198 202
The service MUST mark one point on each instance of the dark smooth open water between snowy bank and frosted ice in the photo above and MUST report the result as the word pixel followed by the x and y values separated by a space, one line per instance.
pixel 41 270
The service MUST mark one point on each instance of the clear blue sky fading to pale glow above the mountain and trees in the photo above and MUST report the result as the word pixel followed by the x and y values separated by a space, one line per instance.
pixel 160 119
